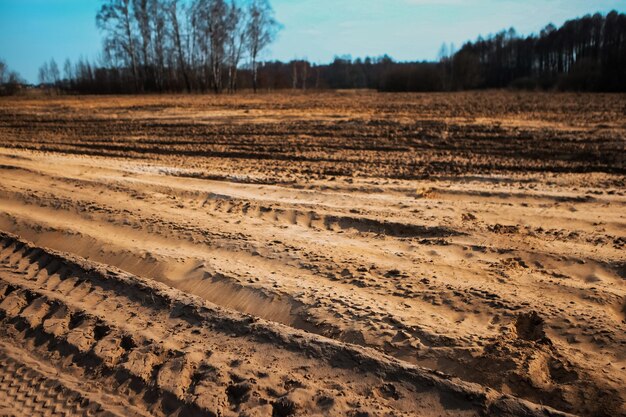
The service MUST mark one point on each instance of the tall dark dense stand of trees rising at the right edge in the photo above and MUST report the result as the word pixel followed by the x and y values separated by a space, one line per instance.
pixel 588 53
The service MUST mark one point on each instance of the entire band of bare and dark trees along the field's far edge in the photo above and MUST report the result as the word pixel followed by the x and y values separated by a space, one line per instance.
pixel 159 46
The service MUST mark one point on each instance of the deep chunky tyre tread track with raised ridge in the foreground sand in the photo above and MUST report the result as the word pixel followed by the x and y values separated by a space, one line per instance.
pixel 69 309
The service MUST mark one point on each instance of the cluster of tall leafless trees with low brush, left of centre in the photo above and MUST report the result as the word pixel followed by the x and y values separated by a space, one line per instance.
pixel 171 46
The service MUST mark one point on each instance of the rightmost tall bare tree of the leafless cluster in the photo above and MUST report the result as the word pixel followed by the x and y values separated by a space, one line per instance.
pixel 260 32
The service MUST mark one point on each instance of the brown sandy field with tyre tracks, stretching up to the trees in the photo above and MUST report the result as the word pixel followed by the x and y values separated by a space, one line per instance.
pixel 346 253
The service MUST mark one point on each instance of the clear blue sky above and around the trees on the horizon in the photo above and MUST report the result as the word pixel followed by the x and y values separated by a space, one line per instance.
pixel 33 31
